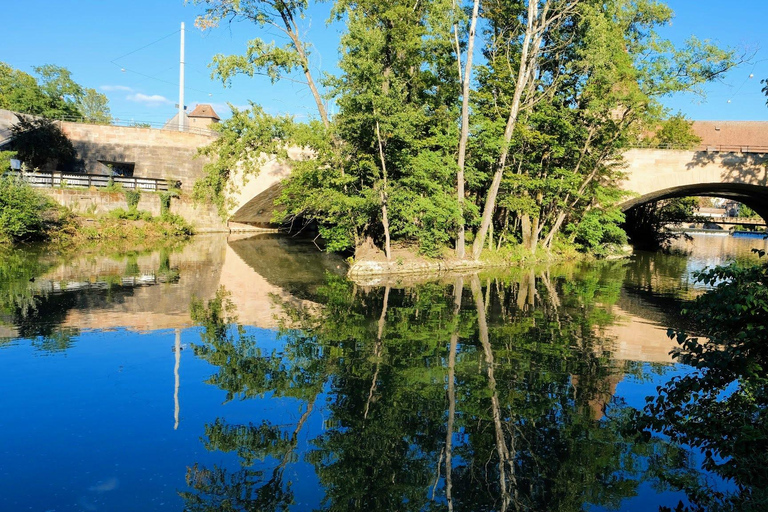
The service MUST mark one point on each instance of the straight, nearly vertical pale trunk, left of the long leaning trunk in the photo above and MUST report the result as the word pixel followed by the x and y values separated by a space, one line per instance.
pixel 465 79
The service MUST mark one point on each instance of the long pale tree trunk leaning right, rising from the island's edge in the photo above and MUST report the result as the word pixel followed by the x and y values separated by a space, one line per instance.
pixel 529 53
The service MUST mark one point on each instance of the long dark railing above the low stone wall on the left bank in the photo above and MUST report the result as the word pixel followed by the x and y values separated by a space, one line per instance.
pixel 77 179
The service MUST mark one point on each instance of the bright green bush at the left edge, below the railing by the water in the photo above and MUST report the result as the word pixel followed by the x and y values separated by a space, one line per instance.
pixel 24 213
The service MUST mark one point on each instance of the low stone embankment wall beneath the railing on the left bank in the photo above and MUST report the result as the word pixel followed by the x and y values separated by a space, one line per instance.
pixel 204 218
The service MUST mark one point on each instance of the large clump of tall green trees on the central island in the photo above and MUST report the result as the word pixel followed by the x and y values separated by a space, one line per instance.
pixel 471 125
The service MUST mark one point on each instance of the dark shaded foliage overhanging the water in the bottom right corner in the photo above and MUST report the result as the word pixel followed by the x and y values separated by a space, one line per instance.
pixel 720 407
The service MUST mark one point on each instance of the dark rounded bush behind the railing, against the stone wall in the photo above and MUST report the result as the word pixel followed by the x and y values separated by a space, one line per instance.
pixel 40 141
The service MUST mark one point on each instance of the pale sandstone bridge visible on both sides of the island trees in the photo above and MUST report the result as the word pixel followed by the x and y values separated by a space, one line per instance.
pixel 731 163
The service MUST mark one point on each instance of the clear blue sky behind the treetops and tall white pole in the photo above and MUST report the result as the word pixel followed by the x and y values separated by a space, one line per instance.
pixel 98 39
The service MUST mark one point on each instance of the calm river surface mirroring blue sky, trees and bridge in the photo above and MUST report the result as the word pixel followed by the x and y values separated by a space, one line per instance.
pixel 251 375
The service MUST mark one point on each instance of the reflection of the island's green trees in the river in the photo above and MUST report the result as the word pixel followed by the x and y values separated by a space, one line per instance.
pixel 495 396
